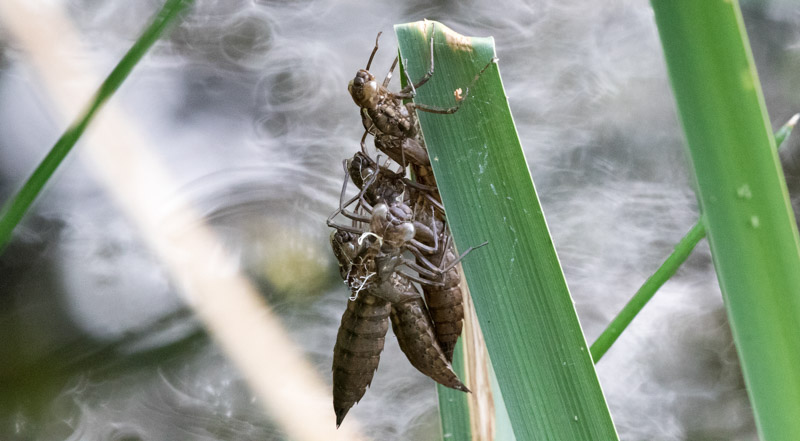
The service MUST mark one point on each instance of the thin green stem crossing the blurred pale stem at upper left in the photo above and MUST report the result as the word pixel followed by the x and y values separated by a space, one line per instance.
pixel 14 209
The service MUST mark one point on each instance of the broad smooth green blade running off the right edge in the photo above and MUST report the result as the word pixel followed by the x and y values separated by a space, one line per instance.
pixel 743 196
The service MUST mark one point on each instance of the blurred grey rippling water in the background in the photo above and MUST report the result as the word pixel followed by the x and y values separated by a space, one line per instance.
pixel 247 103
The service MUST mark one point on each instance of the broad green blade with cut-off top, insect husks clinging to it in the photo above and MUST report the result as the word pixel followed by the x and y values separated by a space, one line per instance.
pixel 524 308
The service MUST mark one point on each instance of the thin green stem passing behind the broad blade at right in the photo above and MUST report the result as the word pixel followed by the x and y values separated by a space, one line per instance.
pixel 664 272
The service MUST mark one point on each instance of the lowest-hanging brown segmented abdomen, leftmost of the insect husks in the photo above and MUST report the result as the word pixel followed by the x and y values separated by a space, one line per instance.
pixel 357 351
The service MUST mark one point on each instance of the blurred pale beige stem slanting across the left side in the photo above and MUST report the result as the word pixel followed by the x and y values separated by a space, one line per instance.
pixel 233 312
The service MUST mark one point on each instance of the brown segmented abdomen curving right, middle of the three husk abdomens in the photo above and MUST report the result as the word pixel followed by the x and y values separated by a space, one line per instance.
pixel 415 333
